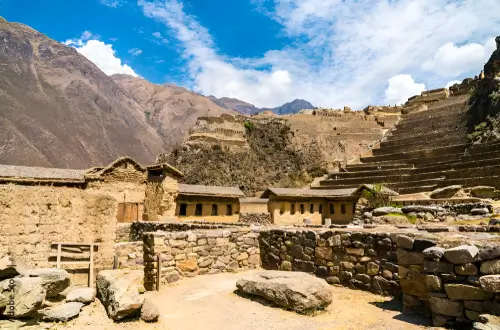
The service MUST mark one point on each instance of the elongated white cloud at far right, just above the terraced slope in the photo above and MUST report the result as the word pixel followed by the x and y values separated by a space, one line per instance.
pixel 451 60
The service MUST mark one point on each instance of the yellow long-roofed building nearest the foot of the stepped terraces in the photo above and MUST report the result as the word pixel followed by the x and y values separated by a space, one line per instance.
pixel 297 206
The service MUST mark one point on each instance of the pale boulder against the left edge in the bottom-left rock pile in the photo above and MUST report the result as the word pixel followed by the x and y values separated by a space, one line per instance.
pixel 21 296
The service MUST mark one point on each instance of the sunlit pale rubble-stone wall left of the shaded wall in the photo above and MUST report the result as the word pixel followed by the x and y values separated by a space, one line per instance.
pixel 192 253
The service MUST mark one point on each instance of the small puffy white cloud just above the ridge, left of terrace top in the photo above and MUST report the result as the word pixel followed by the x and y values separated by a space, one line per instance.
pixel 402 87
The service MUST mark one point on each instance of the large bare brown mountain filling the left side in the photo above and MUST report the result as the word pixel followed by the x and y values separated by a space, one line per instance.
pixel 57 109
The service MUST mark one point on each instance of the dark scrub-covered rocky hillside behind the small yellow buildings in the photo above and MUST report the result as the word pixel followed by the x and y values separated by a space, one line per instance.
pixel 269 161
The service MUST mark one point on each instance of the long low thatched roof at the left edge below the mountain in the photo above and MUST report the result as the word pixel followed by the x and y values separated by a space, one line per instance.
pixel 27 173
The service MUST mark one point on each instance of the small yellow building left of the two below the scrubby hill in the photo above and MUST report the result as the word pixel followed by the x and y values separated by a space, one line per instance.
pixel 210 203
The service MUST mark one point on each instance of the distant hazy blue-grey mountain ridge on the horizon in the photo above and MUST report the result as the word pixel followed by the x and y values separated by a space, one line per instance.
pixel 246 108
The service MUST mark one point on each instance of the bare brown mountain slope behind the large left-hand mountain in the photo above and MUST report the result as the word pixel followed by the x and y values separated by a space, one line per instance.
pixel 170 109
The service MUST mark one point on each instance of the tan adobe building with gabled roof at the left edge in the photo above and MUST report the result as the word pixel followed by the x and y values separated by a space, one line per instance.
pixel 42 207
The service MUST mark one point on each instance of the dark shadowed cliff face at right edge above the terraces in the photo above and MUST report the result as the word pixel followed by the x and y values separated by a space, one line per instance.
pixel 484 110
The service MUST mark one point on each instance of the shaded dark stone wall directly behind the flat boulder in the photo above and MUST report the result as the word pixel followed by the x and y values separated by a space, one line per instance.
pixel 359 260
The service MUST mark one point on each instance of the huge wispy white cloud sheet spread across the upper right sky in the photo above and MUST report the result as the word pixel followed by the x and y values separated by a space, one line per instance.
pixel 343 53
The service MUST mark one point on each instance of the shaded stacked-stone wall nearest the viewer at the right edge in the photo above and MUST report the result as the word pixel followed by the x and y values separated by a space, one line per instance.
pixel 453 285
